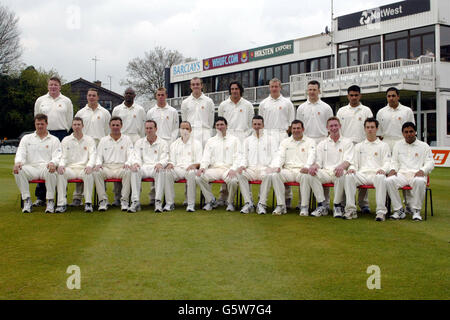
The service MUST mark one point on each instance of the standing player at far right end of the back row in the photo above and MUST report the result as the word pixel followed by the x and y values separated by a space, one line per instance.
pixel 392 117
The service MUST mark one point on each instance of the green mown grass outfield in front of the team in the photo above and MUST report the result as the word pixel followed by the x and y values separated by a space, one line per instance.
pixel 220 255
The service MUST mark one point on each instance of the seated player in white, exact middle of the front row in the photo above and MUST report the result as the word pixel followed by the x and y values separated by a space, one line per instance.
pixel 220 161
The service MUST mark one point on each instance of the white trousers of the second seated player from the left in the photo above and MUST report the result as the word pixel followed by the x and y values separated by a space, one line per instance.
pixel 74 173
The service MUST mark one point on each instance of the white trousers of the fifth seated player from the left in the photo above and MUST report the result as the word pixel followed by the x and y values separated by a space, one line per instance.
pixel 176 174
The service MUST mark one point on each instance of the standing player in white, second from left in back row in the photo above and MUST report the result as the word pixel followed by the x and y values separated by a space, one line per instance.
pixel 96 125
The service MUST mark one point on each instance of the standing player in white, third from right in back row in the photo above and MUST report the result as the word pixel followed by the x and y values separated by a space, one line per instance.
pixel 314 113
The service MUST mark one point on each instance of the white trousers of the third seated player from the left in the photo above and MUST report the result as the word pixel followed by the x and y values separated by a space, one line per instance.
pixel 110 171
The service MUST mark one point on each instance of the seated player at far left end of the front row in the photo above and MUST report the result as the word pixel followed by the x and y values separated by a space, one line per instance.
pixel 37 157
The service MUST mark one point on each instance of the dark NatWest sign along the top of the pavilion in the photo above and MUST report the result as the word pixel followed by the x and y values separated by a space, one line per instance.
pixel 383 13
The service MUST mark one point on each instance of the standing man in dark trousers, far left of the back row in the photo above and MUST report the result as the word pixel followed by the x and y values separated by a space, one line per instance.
pixel 59 110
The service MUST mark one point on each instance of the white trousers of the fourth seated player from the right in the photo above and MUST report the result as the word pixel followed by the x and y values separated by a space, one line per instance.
pixel 288 175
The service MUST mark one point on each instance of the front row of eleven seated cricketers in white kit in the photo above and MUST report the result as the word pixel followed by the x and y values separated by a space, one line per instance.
pixel 297 159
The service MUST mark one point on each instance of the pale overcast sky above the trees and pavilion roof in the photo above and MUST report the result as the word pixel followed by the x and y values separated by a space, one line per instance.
pixel 67 35
